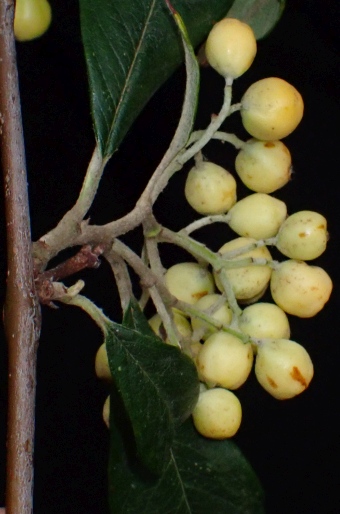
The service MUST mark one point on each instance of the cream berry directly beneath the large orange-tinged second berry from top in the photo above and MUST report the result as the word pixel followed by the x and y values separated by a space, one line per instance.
pixel 264 166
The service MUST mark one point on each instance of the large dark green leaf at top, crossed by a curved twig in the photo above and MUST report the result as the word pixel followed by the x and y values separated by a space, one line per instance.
pixel 131 48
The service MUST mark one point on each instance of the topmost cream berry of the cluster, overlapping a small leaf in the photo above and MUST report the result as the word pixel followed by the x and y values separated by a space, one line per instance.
pixel 231 47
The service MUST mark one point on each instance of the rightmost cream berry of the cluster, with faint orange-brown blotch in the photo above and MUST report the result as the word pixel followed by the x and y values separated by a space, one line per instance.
pixel 300 289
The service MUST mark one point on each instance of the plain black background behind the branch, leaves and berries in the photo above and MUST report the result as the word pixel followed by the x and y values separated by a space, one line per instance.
pixel 292 445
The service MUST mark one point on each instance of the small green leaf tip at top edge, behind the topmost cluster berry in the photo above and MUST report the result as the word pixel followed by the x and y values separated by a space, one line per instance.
pixel 261 15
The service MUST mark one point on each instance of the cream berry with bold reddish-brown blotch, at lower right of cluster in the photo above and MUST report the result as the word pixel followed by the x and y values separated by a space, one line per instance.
pixel 283 368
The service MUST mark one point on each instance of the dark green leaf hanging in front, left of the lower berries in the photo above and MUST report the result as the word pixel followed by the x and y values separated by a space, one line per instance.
pixel 158 385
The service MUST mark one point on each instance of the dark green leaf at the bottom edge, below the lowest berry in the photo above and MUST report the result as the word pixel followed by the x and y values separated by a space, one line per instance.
pixel 202 476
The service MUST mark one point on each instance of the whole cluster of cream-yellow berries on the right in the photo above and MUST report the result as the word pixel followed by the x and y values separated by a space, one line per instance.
pixel 218 318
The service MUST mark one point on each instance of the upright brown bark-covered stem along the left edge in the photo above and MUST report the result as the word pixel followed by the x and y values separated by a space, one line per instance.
pixel 21 313
